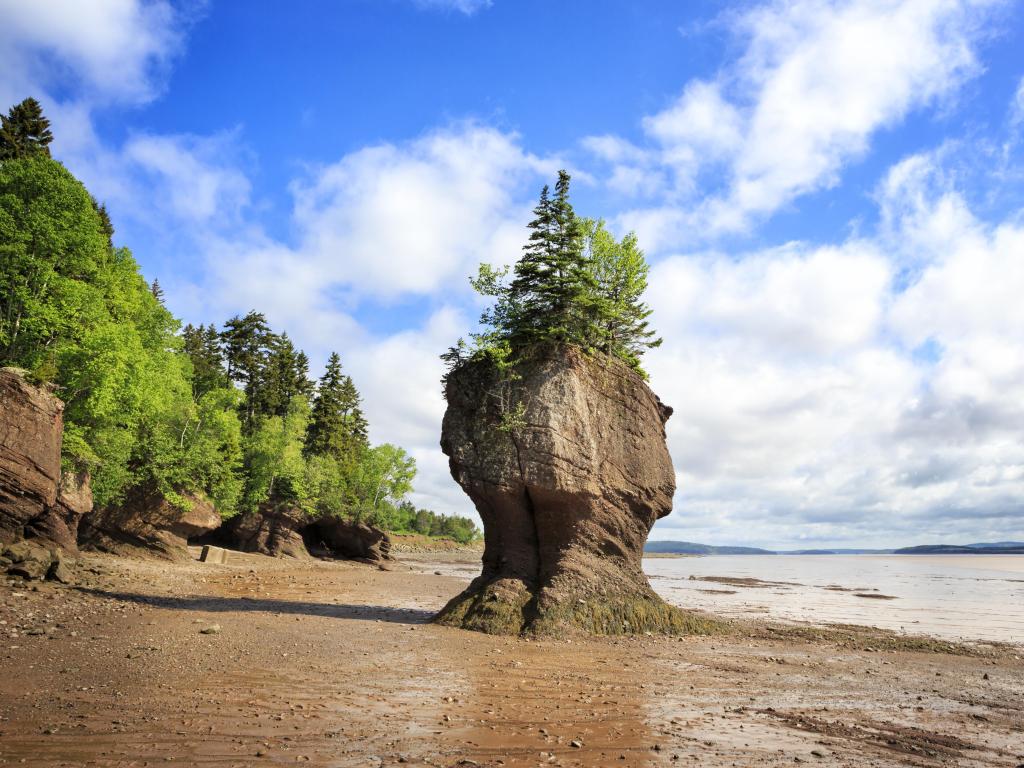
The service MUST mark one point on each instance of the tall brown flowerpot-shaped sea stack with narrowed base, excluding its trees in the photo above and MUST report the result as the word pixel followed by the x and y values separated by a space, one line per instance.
pixel 568 465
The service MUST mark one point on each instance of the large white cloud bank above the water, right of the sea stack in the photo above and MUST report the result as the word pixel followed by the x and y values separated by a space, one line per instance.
pixel 824 397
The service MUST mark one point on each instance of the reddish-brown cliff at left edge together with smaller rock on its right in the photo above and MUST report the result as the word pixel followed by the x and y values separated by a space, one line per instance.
pixel 37 502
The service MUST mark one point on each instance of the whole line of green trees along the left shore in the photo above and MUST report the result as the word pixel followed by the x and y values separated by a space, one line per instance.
pixel 227 413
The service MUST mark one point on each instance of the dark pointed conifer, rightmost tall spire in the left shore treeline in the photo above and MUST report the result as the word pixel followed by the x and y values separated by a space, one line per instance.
pixel 337 428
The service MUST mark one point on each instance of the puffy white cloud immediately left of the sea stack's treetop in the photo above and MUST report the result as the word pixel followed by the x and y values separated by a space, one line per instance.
pixel 391 221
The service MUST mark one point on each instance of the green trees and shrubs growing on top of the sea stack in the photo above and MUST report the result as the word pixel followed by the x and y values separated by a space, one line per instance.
pixel 575 285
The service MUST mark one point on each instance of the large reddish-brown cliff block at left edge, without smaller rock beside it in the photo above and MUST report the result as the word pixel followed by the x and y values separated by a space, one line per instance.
pixel 31 431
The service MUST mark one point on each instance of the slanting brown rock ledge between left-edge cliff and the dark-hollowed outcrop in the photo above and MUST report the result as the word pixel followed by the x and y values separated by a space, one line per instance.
pixel 148 525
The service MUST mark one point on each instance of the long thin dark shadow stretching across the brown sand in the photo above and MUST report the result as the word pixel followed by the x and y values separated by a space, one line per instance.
pixel 252 605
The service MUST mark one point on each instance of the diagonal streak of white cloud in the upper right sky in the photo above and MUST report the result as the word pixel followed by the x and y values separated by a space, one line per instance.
pixel 818 79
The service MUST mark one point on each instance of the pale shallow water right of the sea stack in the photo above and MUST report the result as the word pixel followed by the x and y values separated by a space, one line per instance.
pixel 957 598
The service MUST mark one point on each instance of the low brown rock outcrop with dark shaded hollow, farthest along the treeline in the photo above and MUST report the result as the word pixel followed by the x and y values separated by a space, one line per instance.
pixel 284 531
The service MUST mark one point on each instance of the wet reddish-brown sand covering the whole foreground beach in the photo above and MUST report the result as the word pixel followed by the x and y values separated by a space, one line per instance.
pixel 335 665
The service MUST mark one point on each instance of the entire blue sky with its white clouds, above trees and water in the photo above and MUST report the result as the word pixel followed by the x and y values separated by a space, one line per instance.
pixel 830 193
